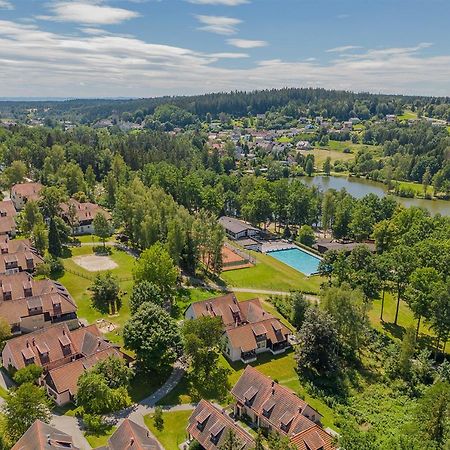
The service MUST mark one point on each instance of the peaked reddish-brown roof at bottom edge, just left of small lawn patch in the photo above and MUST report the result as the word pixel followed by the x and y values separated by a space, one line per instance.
pixel 131 436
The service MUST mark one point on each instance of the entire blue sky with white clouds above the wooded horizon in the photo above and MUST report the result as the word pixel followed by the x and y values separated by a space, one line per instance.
pixel 143 48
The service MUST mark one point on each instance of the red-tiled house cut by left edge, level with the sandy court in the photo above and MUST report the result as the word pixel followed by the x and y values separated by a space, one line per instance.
pixel 18 255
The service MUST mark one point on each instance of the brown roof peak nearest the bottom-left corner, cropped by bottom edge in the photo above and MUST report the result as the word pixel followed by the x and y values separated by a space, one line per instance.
pixel 41 436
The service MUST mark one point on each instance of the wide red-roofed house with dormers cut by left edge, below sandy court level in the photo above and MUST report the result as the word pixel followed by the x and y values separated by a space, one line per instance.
pixel 28 304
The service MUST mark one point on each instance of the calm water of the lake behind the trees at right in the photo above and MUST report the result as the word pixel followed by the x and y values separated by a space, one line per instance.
pixel 359 187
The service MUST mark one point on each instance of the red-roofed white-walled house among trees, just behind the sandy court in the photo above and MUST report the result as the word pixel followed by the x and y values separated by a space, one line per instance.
pixel 80 216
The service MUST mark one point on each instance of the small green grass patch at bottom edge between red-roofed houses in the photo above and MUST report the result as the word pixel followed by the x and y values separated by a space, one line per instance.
pixel 174 432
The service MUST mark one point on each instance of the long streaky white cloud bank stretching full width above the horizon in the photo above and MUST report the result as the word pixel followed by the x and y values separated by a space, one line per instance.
pixel 35 62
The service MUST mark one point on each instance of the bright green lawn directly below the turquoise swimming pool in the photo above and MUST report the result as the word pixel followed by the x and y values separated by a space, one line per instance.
pixel 271 274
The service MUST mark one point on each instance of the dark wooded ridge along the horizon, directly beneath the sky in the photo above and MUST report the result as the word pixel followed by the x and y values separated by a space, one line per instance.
pixel 300 101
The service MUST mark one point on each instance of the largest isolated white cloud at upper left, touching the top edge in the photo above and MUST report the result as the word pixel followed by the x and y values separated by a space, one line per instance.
pixel 93 12
